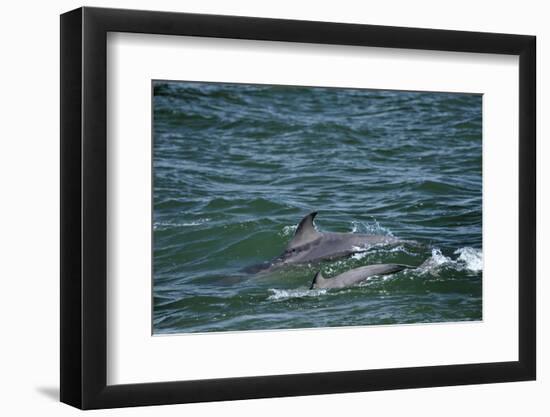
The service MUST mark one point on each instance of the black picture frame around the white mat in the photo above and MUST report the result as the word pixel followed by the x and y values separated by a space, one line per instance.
pixel 84 207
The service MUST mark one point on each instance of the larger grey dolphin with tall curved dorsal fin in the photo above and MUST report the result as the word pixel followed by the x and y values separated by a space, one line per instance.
pixel 310 246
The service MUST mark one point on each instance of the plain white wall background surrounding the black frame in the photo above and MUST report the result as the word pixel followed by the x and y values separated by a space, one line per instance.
pixel 29 213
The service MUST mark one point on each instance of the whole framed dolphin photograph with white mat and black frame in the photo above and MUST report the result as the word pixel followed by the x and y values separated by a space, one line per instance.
pixel 258 208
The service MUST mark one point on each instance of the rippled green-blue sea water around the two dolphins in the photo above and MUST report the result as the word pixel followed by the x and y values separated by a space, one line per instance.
pixel 236 167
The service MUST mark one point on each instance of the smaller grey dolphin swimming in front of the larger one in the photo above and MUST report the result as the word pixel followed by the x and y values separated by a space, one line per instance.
pixel 355 276
